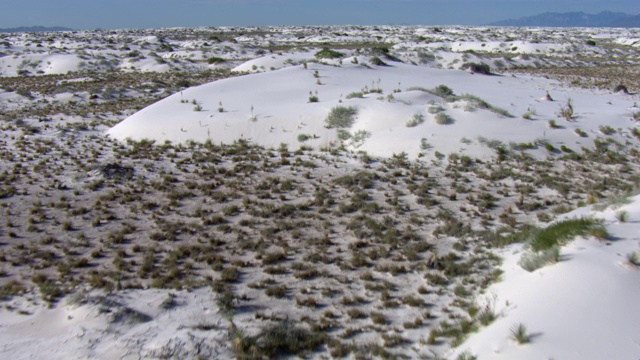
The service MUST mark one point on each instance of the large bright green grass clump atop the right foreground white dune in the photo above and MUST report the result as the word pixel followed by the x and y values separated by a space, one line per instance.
pixel 563 232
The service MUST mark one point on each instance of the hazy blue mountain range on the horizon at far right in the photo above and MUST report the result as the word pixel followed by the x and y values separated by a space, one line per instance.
pixel 575 19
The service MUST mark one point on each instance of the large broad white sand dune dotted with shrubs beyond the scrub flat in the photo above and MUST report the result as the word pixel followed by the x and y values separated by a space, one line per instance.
pixel 282 111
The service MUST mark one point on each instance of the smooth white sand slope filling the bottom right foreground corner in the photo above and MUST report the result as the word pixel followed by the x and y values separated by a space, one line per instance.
pixel 583 307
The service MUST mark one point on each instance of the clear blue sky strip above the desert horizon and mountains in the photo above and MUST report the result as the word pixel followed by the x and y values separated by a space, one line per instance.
pixel 91 14
